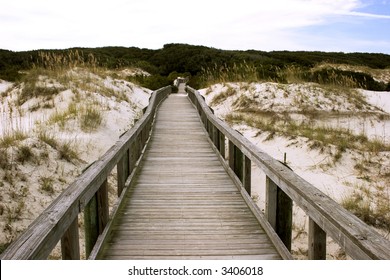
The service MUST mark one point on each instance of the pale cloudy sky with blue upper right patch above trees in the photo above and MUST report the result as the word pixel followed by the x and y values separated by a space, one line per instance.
pixel 309 25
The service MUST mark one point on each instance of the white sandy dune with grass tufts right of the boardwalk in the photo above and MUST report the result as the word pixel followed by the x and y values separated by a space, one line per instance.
pixel 336 179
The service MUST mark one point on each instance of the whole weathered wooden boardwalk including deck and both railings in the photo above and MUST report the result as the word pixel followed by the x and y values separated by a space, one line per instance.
pixel 180 201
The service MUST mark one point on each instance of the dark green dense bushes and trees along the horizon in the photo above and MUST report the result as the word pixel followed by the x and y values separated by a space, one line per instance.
pixel 194 61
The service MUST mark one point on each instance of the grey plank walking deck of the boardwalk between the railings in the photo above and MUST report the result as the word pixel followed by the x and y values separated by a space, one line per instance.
pixel 183 204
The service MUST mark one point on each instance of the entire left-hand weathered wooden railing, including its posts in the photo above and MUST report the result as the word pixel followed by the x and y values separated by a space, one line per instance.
pixel 88 194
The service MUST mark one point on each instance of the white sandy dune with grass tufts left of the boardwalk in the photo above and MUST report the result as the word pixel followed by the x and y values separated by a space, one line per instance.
pixel 28 187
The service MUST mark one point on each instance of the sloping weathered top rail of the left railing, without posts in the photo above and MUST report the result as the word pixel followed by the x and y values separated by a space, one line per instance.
pixel 45 232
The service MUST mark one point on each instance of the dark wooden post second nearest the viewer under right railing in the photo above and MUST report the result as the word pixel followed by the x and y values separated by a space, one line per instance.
pixel 279 212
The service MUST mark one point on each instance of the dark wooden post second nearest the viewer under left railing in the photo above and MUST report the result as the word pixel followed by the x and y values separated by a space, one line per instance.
pixel 95 217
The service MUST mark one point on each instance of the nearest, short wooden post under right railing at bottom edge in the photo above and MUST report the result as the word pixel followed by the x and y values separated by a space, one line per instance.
pixel 317 242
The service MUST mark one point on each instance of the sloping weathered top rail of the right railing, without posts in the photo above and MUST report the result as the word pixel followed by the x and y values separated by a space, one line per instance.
pixel 357 239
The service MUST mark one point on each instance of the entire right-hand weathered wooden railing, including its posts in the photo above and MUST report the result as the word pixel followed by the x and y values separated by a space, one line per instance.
pixel 283 187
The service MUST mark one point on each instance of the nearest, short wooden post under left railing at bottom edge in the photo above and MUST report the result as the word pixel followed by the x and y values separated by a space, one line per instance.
pixel 70 243
